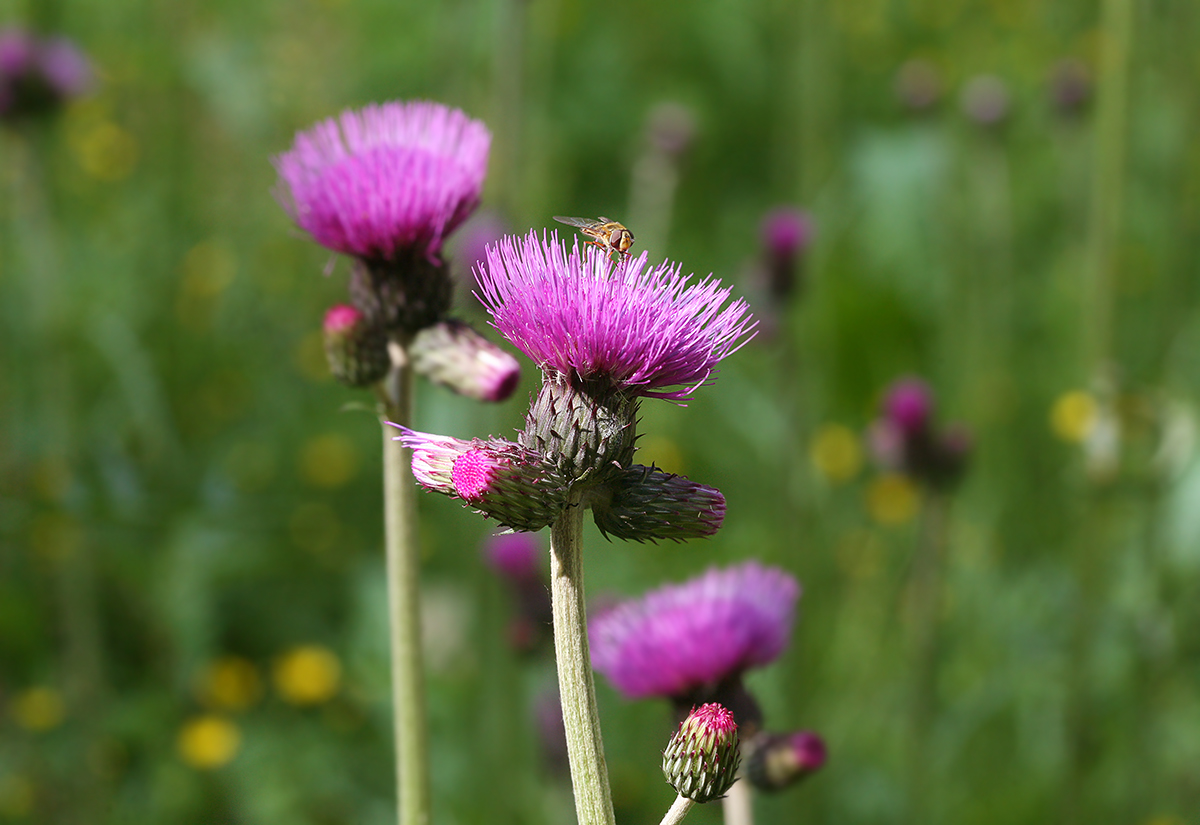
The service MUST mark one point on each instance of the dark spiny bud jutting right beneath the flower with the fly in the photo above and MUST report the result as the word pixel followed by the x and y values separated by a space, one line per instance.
pixel 651 505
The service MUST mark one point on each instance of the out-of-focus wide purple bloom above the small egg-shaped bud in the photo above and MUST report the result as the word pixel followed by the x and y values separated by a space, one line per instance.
pixel 683 637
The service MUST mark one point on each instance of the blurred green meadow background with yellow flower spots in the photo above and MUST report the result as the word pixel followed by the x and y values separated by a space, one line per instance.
pixel 193 618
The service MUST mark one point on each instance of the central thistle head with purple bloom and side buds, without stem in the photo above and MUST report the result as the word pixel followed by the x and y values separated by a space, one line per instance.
pixel 605 336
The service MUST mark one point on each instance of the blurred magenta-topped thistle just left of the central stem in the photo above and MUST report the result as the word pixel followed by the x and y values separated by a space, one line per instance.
pixel 521 561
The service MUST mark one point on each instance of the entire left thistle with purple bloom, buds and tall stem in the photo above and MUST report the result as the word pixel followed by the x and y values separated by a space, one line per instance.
pixel 386 185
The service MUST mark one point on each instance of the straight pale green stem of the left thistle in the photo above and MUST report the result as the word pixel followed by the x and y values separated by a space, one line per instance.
pixel 404 600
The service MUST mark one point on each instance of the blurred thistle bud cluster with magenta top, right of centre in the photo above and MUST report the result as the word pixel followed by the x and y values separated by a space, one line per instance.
pixel 905 441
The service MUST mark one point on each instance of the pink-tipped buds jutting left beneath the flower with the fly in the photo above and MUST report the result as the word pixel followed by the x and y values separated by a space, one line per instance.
pixel 499 479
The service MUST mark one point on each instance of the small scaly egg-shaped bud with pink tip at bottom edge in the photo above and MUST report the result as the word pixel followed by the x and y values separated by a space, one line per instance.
pixel 701 761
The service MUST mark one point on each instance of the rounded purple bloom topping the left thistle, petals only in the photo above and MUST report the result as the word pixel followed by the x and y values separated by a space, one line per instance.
pixel 386 179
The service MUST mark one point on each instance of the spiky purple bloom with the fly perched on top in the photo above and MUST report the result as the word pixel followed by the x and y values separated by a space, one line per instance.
pixel 649 332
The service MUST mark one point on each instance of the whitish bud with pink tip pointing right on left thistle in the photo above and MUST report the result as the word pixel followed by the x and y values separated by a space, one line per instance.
pixel 451 353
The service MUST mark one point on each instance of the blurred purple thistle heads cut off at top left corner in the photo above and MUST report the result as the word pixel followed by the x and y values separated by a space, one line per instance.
pixel 39 76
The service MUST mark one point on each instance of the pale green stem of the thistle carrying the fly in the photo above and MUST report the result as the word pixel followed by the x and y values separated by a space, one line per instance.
pixel 585 746
